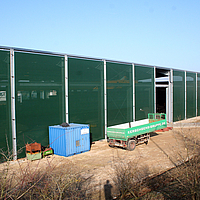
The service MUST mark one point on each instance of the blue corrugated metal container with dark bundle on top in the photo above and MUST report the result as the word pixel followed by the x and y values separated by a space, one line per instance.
pixel 67 141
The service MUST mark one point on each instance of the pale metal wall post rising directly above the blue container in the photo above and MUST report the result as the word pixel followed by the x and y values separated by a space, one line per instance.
pixel 66 90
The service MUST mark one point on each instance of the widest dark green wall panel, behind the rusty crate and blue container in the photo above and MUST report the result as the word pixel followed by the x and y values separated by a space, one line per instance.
pixel 39 97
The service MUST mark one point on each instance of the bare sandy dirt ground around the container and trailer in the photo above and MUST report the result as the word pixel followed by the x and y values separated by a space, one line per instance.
pixel 161 153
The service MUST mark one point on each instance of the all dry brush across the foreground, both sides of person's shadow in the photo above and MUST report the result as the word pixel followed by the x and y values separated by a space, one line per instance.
pixel 130 180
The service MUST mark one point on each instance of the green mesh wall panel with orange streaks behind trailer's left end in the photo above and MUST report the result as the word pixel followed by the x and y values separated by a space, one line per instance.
pixel 119 93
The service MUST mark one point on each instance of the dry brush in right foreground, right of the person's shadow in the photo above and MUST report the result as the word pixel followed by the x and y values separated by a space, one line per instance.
pixel 180 182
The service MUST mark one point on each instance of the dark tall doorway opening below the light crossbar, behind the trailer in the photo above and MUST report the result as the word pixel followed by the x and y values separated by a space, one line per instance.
pixel 161 100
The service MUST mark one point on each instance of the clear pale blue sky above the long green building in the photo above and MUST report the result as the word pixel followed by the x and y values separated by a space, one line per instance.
pixel 153 32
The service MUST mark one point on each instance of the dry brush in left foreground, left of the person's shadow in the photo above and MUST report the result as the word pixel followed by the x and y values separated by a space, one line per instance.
pixel 55 182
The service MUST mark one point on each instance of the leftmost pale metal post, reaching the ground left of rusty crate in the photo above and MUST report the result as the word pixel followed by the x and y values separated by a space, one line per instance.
pixel 12 84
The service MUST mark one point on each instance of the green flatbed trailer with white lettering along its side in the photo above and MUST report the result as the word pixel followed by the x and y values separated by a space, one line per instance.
pixel 129 134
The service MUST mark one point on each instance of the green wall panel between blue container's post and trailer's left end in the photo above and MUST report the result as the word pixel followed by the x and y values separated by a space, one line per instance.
pixel 86 95
